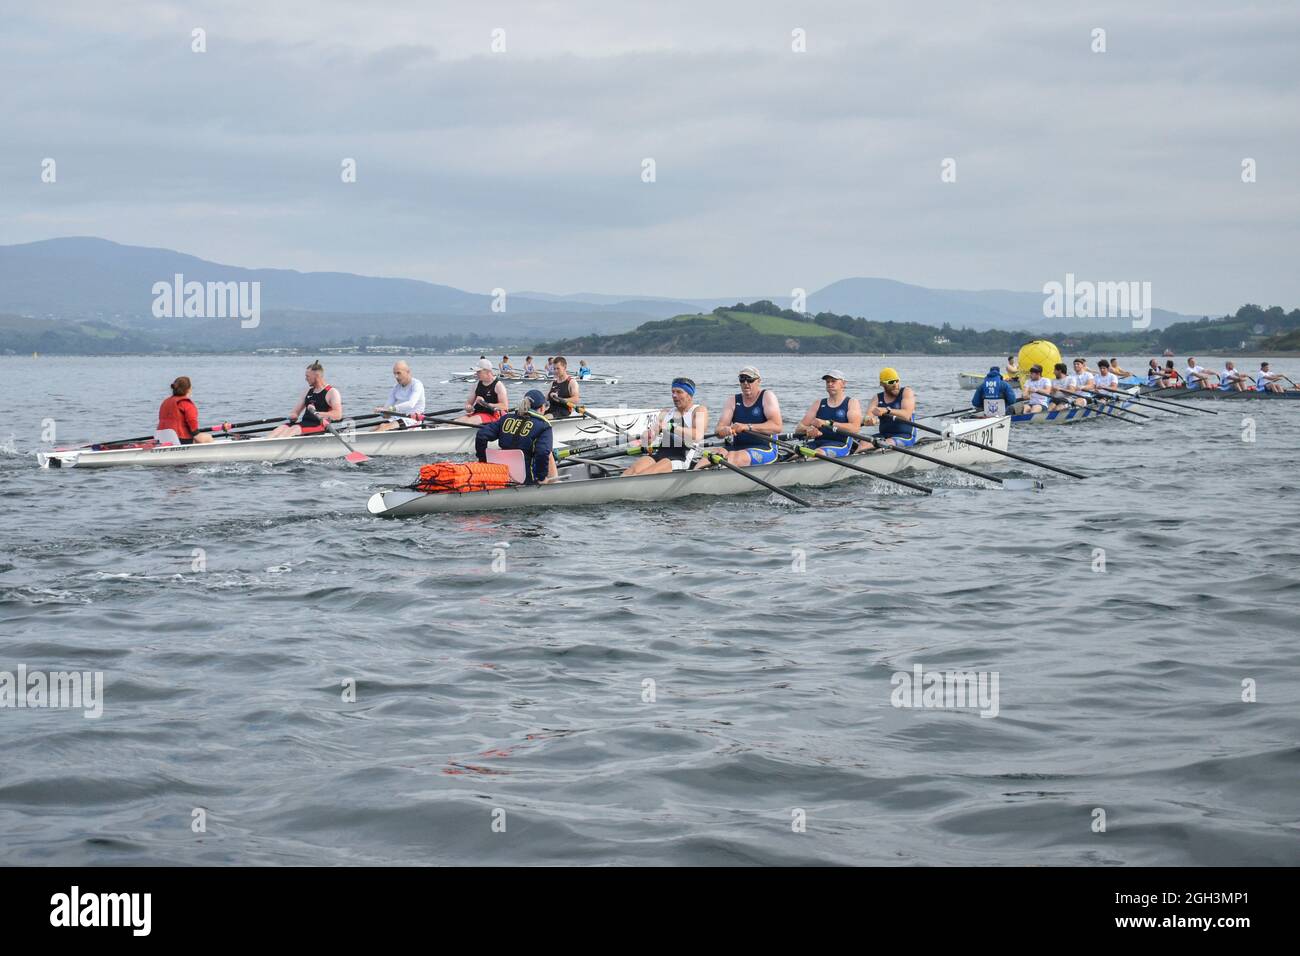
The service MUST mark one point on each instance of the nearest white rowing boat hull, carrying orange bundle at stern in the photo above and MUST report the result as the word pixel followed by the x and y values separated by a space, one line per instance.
pixel 595 490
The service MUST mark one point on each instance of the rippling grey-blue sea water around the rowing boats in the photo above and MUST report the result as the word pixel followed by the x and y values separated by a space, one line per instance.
pixel 656 685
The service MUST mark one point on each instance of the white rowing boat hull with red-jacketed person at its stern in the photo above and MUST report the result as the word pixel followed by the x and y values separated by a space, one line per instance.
pixel 434 440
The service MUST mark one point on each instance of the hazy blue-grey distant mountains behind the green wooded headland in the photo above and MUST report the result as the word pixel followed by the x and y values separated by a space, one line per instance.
pixel 98 284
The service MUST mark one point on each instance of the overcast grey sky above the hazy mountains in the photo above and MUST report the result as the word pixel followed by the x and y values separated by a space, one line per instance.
pixel 775 168
